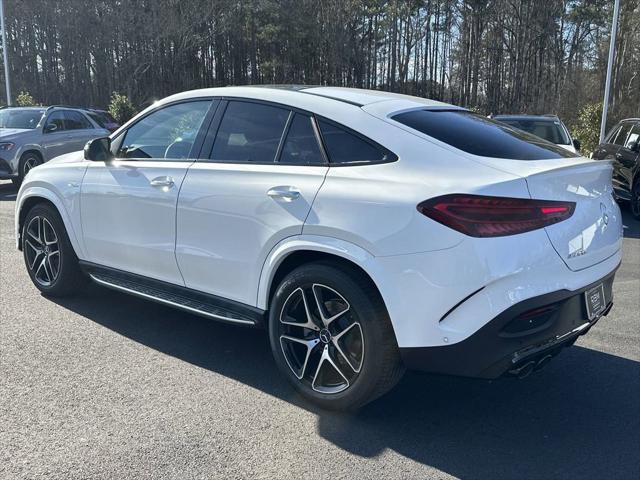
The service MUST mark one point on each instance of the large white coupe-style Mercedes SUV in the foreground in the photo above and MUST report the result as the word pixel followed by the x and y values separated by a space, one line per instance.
pixel 367 231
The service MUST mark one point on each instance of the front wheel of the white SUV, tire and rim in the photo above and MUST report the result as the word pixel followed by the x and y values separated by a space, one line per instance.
pixel 48 254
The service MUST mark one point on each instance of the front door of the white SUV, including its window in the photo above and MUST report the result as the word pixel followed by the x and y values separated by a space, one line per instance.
pixel 128 205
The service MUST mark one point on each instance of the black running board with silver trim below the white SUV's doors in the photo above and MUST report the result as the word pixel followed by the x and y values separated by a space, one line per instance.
pixel 175 296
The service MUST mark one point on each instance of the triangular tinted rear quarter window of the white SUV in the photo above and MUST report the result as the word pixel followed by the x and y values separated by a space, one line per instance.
pixel 344 147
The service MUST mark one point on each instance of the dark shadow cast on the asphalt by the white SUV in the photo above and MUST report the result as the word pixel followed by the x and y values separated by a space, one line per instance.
pixel 578 418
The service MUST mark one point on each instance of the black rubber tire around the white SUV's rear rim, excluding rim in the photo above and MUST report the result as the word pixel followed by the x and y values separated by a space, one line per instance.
pixel 370 314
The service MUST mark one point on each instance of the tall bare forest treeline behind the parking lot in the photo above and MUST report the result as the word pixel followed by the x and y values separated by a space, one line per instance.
pixel 495 56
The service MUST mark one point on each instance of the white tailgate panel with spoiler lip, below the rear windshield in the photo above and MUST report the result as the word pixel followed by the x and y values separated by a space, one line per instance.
pixel 594 232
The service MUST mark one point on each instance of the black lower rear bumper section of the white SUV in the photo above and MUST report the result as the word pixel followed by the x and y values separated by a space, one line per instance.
pixel 497 348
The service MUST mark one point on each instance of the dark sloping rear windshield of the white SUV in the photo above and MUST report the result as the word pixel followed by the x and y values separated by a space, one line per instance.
pixel 480 135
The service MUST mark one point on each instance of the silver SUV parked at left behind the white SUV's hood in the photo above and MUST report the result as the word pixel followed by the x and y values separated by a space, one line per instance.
pixel 30 136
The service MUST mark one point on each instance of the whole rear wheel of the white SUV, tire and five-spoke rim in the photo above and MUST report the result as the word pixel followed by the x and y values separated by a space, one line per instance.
pixel 347 364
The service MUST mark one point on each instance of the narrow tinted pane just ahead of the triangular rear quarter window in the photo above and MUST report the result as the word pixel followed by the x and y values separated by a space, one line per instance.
pixel 301 145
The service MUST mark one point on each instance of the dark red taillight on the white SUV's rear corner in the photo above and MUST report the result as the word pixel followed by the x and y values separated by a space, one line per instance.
pixel 480 216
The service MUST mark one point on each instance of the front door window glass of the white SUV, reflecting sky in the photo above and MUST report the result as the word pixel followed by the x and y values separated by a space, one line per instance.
pixel 168 133
